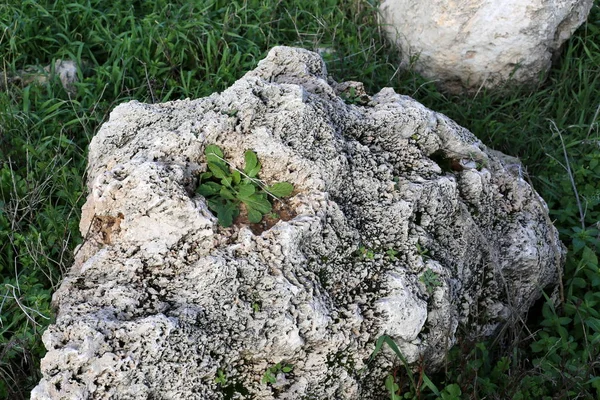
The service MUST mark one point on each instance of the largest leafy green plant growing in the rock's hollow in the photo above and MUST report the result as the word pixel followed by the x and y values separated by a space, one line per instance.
pixel 227 188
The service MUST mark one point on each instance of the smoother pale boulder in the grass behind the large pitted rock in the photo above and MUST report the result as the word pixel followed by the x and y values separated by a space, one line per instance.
pixel 470 44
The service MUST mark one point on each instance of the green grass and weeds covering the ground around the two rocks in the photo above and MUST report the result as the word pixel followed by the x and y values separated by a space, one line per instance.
pixel 159 50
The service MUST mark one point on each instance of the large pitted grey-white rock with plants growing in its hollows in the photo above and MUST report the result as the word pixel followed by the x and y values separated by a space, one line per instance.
pixel 401 223
